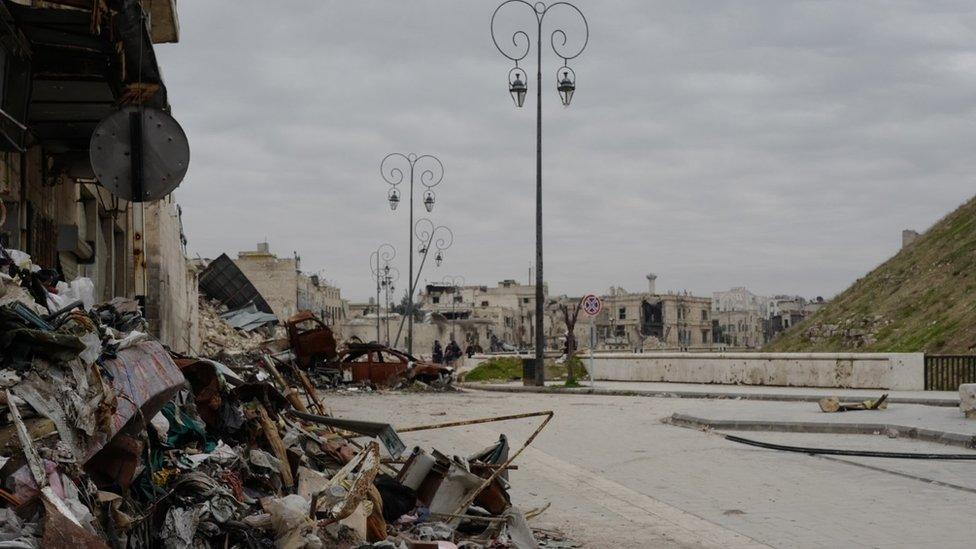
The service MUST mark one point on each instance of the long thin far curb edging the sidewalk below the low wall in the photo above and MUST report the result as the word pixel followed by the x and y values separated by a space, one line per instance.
pixel 949 403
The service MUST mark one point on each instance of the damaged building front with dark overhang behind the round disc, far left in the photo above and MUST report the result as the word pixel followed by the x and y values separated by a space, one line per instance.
pixel 67 65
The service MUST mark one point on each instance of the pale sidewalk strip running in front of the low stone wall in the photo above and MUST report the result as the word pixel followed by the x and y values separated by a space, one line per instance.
pixel 741 392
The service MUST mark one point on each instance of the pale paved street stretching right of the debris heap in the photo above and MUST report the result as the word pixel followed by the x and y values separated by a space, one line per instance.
pixel 616 476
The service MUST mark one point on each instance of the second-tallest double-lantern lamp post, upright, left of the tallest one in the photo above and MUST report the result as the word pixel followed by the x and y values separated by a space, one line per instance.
pixel 428 170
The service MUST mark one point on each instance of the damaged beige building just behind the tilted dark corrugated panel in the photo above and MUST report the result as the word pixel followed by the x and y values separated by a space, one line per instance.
pixel 286 289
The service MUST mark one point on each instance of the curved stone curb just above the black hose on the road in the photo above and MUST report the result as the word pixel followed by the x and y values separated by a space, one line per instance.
pixel 900 431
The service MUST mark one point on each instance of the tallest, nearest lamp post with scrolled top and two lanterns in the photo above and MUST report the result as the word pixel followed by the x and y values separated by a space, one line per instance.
pixel 516 51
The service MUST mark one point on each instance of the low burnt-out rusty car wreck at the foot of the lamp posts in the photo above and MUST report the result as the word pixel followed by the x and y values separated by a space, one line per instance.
pixel 383 366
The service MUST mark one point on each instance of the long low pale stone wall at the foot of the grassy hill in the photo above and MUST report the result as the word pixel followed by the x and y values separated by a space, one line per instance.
pixel 898 371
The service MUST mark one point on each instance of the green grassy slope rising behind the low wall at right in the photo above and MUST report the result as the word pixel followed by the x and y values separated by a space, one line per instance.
pixel 922 299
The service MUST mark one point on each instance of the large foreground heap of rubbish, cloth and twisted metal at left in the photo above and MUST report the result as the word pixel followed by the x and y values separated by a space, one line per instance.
pixel 109 440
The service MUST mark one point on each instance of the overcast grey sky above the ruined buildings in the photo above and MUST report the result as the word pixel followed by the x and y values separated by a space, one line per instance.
pixel 778 145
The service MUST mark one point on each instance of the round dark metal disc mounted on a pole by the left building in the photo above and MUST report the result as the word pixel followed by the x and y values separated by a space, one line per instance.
pixel 139 153
